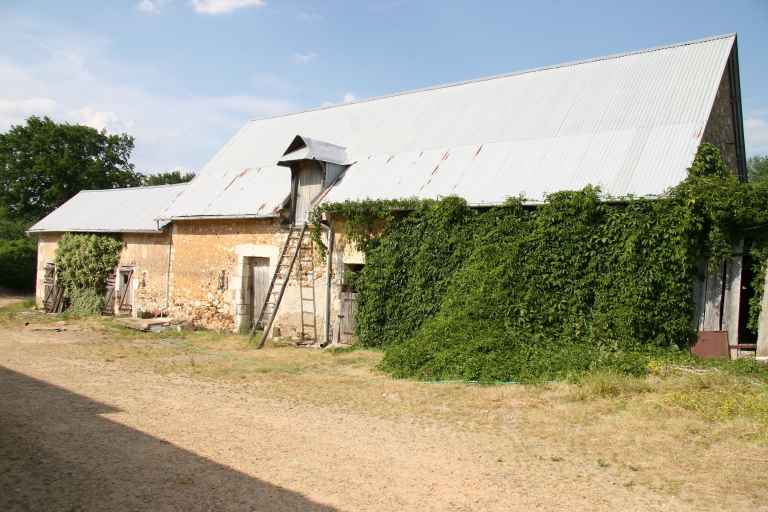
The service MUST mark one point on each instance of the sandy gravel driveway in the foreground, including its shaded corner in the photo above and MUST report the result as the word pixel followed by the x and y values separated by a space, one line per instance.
pixel 80 434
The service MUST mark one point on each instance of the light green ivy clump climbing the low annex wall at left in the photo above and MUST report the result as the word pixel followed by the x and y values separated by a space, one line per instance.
pixel 83 262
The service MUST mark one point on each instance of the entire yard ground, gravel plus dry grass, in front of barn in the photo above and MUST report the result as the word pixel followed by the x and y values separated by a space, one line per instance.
pixel 100 419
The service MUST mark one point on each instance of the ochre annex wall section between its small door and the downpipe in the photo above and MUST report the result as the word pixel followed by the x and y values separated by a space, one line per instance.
pixel 148 255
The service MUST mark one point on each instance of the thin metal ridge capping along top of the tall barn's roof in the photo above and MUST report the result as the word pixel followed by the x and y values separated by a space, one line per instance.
pixel 495 77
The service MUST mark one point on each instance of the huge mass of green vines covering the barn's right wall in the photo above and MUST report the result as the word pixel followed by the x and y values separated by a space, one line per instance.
pixel 526 294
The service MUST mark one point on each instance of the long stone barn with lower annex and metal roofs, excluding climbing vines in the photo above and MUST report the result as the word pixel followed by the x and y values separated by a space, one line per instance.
pixel 231 250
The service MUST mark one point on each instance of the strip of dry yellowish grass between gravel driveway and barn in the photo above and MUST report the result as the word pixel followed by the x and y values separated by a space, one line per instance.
pixel 676 431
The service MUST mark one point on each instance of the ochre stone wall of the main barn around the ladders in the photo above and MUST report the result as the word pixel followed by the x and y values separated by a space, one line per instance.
pixel 207 273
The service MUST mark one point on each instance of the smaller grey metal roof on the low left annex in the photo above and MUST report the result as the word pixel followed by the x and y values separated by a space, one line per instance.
pixel 120 210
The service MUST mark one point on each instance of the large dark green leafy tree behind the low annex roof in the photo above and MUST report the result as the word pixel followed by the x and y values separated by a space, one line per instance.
pixel 44 163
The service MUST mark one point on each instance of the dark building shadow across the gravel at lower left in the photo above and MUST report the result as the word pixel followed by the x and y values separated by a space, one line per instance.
pixel 57 453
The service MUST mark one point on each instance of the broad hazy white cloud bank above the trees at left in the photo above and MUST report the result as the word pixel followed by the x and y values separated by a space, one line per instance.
pixel 76 79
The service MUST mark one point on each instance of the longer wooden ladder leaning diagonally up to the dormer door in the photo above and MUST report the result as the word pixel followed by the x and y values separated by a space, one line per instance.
pixel 279 282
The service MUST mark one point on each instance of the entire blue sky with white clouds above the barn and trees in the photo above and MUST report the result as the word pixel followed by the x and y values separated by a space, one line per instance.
pixel 183 75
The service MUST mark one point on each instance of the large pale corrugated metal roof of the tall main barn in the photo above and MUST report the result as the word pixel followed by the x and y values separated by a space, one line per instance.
pixel 629 123
